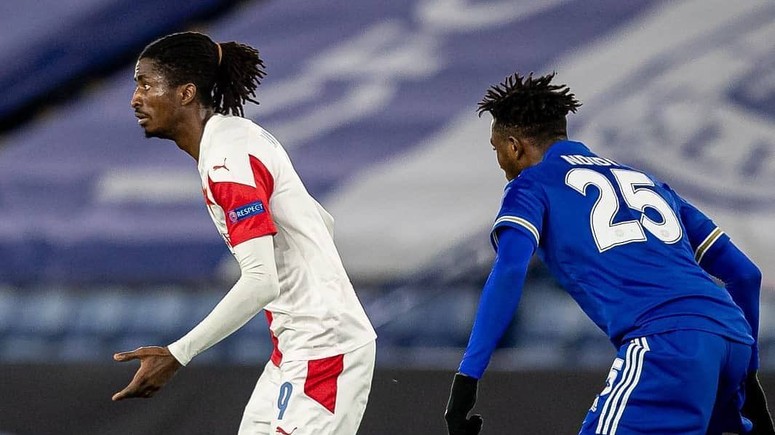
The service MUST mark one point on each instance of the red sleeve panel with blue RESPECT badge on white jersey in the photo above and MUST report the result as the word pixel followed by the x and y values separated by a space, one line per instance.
pixel 233 198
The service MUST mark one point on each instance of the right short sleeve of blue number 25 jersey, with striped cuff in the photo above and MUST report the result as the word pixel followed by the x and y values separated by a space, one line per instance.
pixel 704 235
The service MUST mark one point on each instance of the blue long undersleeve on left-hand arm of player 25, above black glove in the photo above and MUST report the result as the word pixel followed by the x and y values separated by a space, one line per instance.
pixel 499 301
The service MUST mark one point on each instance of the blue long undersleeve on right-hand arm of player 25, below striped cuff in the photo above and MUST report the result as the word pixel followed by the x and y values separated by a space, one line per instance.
pixel 743 281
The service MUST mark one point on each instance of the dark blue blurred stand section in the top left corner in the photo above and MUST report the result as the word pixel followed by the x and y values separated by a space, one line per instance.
pixel 41 51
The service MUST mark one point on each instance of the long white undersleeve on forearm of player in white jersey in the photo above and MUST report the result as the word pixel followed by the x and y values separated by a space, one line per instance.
pixel 256 287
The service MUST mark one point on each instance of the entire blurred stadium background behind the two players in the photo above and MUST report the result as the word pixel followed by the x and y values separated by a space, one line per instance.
pixel 105 244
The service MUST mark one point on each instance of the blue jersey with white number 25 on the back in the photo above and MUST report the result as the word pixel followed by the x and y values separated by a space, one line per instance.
pixel 623 244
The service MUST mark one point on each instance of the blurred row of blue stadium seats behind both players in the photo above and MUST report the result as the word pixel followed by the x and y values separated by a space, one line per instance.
pixel 419 327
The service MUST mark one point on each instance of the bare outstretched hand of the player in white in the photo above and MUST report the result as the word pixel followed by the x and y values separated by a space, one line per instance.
pixel 157 366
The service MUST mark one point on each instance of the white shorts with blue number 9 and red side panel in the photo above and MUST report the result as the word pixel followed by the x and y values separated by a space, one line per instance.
pixel 320 397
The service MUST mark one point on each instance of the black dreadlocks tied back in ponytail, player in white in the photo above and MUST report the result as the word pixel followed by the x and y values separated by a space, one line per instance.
pixel 226 75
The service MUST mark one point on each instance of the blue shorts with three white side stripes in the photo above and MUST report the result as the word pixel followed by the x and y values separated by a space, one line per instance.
pixel 680 382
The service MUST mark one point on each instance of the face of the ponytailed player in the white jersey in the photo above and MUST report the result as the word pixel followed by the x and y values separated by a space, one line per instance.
pixel 153 100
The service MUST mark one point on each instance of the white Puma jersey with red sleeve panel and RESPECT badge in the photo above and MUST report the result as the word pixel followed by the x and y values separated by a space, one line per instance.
pixel 252 190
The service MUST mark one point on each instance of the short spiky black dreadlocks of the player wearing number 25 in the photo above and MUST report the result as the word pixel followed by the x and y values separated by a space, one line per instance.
pixel 533 106
